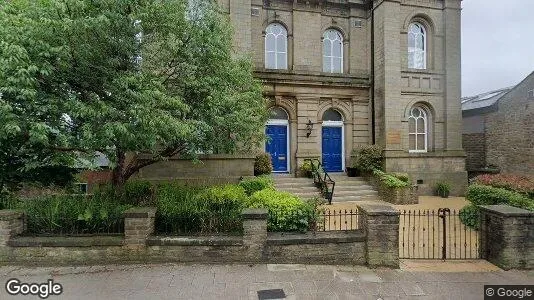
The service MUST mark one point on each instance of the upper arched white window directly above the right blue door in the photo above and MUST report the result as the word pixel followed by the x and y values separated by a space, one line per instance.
pixel 332 51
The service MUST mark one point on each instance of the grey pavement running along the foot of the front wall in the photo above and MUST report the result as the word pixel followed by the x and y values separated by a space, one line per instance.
pixel 417 280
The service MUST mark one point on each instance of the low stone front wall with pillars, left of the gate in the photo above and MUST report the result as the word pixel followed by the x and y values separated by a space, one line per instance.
pixel 376 244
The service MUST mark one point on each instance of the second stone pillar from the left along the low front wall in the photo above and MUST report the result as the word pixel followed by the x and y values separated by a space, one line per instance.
pixel 138 225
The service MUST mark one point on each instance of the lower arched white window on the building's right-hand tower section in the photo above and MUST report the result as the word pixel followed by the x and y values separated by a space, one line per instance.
pixel 418 130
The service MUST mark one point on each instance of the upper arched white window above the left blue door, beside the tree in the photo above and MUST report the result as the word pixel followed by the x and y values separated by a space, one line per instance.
pixel 276 47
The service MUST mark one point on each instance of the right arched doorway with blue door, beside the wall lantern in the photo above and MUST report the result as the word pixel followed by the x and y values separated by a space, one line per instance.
pixel 333 142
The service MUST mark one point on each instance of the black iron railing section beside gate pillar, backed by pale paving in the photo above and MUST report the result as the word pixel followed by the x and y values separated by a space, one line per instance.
pixel 337 220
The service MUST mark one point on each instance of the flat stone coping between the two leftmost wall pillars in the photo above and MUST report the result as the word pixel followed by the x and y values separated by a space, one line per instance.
pixel 65 241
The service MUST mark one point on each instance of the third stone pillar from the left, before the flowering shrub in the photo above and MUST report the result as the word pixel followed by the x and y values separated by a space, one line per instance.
pixel 254 232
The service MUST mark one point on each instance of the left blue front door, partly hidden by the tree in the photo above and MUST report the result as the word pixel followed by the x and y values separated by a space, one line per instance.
pixel 276 145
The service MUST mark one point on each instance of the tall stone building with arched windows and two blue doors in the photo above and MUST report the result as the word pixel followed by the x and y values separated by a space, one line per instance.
pixel 343 73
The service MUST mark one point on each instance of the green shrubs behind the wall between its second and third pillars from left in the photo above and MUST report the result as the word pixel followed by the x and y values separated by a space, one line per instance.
pixel 183 210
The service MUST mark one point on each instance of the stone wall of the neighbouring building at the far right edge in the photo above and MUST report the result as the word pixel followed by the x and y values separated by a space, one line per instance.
pixel 510 131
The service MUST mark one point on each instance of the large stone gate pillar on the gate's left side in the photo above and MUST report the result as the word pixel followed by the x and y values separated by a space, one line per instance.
pixel 381 224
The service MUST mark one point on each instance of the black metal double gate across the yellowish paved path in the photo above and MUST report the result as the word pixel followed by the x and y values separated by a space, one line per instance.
pixel 429 234
